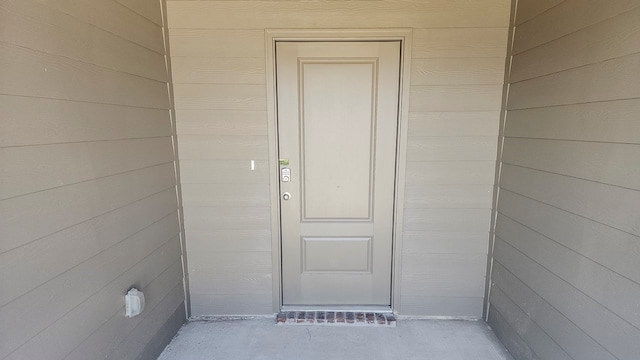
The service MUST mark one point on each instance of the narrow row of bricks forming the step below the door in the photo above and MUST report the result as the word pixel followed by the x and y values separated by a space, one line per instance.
pixel 335 318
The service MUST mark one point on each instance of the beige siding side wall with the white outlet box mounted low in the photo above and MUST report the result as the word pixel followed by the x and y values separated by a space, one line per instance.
pixel 87 198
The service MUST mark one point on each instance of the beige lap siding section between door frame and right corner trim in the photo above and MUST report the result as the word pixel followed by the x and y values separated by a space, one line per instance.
pixel 455 101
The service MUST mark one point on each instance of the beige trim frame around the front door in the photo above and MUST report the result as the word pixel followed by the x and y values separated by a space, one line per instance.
pixel 404 35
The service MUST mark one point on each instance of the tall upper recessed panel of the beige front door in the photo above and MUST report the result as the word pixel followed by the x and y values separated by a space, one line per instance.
pixel 336 115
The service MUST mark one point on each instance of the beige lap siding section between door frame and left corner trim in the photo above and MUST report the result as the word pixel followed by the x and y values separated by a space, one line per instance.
pixel 219 84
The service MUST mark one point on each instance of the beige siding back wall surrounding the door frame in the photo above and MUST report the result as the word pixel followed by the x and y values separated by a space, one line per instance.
pixel 218 57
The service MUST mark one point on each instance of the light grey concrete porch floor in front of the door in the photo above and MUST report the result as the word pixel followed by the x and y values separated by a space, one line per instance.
pixel 262 339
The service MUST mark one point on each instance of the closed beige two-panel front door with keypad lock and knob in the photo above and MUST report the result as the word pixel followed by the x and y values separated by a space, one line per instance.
pixel 337 126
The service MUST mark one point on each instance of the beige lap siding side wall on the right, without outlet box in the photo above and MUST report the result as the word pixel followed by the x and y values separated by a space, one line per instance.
pixel 566 276
